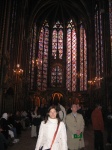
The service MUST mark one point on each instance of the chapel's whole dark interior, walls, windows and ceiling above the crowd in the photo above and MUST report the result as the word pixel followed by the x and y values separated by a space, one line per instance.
pixel 55 51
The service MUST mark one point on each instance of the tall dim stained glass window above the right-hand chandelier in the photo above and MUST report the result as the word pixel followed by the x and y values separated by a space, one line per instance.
pixel 99 45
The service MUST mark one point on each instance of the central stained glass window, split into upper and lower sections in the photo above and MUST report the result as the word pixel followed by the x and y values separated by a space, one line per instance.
pixel 57 53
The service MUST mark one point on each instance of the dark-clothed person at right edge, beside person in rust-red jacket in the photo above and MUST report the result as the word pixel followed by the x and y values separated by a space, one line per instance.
pixel 109 126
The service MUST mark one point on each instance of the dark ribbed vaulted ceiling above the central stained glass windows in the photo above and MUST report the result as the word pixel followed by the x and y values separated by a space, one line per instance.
pixel 61 10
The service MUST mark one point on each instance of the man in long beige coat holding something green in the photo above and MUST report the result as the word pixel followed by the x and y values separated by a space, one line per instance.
pixel 75 128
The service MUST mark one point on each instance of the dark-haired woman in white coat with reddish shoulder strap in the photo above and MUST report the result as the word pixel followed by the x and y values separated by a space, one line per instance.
pixel 47 130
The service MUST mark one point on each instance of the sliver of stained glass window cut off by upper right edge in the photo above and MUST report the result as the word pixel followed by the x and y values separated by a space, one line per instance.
pixel 110 18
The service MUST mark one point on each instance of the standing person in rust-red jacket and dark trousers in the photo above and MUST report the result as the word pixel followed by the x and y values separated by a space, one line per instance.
pixel 98 127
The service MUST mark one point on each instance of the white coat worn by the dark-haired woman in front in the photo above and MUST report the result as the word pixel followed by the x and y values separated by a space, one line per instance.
pixel 46 134
